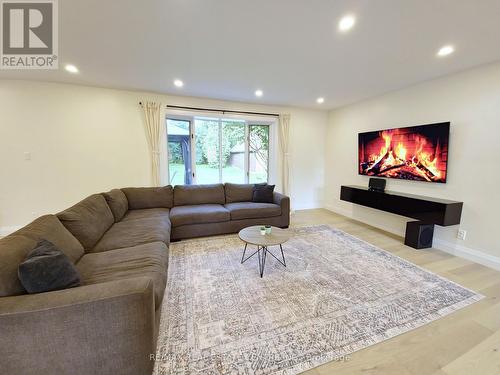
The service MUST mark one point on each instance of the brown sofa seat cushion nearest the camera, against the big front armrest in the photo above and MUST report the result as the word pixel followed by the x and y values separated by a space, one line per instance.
pixel 144 260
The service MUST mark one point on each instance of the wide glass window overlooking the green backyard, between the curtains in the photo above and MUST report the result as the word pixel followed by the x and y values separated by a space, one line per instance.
pixel 205 150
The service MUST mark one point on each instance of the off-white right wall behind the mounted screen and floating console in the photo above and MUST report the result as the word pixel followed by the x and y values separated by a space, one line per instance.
pixel 471 101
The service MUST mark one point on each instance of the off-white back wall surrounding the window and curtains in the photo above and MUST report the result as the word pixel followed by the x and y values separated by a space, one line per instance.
pixel 84 140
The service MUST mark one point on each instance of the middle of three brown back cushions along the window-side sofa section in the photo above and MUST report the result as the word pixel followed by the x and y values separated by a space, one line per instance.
pixel 199 194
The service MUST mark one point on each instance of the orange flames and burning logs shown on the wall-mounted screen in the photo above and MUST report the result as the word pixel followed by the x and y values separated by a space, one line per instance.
pixel 409 159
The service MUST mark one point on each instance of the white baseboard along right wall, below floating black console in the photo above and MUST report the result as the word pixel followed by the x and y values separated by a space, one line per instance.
pixel 461 251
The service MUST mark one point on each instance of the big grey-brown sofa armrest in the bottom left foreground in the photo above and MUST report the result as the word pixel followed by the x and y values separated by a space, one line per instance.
pixel 103 328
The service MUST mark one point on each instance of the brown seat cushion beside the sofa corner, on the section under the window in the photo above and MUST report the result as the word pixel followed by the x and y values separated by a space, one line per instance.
pixel 198 214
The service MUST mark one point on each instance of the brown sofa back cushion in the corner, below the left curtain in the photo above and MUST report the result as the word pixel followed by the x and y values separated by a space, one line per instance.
pixel 149 197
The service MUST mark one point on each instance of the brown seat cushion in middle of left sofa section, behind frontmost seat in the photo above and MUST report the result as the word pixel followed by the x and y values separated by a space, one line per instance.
pixel 135 232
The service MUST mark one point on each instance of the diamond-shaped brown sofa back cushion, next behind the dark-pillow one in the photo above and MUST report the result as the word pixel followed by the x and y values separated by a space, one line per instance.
pixel 88 220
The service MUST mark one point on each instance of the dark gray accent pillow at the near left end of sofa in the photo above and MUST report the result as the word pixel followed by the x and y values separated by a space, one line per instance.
pixel 46 268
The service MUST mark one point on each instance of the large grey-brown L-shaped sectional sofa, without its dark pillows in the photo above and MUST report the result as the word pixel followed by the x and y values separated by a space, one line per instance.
pixel 119 243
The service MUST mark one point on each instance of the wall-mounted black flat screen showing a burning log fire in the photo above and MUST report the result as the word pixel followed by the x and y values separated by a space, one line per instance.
pixel 418 153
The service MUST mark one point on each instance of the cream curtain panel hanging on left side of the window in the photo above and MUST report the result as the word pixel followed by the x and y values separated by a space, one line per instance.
pixel 154 125
